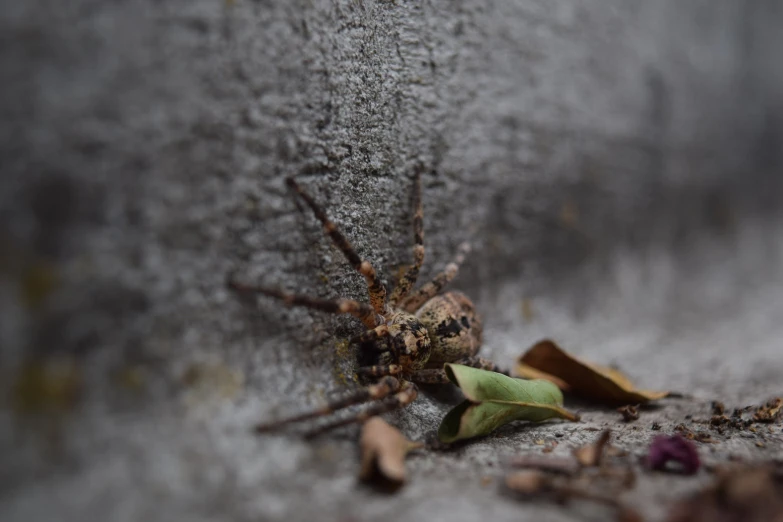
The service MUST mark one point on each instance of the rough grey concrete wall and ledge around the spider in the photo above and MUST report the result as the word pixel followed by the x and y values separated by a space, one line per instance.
pixel 615 164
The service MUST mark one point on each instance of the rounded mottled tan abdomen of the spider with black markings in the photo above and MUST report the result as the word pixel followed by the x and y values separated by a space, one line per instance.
pixel 454 328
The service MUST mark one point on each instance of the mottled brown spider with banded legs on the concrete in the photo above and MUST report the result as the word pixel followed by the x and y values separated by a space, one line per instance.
pixel 410 334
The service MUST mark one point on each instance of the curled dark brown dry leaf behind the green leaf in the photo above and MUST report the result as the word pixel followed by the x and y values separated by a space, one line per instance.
pixel 546 359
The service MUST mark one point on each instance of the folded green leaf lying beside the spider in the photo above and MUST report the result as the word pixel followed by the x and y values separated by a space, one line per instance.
pixel 494 400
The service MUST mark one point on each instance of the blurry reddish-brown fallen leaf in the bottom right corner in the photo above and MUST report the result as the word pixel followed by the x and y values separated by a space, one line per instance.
pixel 747 494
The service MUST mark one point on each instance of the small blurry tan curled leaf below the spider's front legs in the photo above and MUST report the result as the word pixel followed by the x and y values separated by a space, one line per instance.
pixel 383 453
